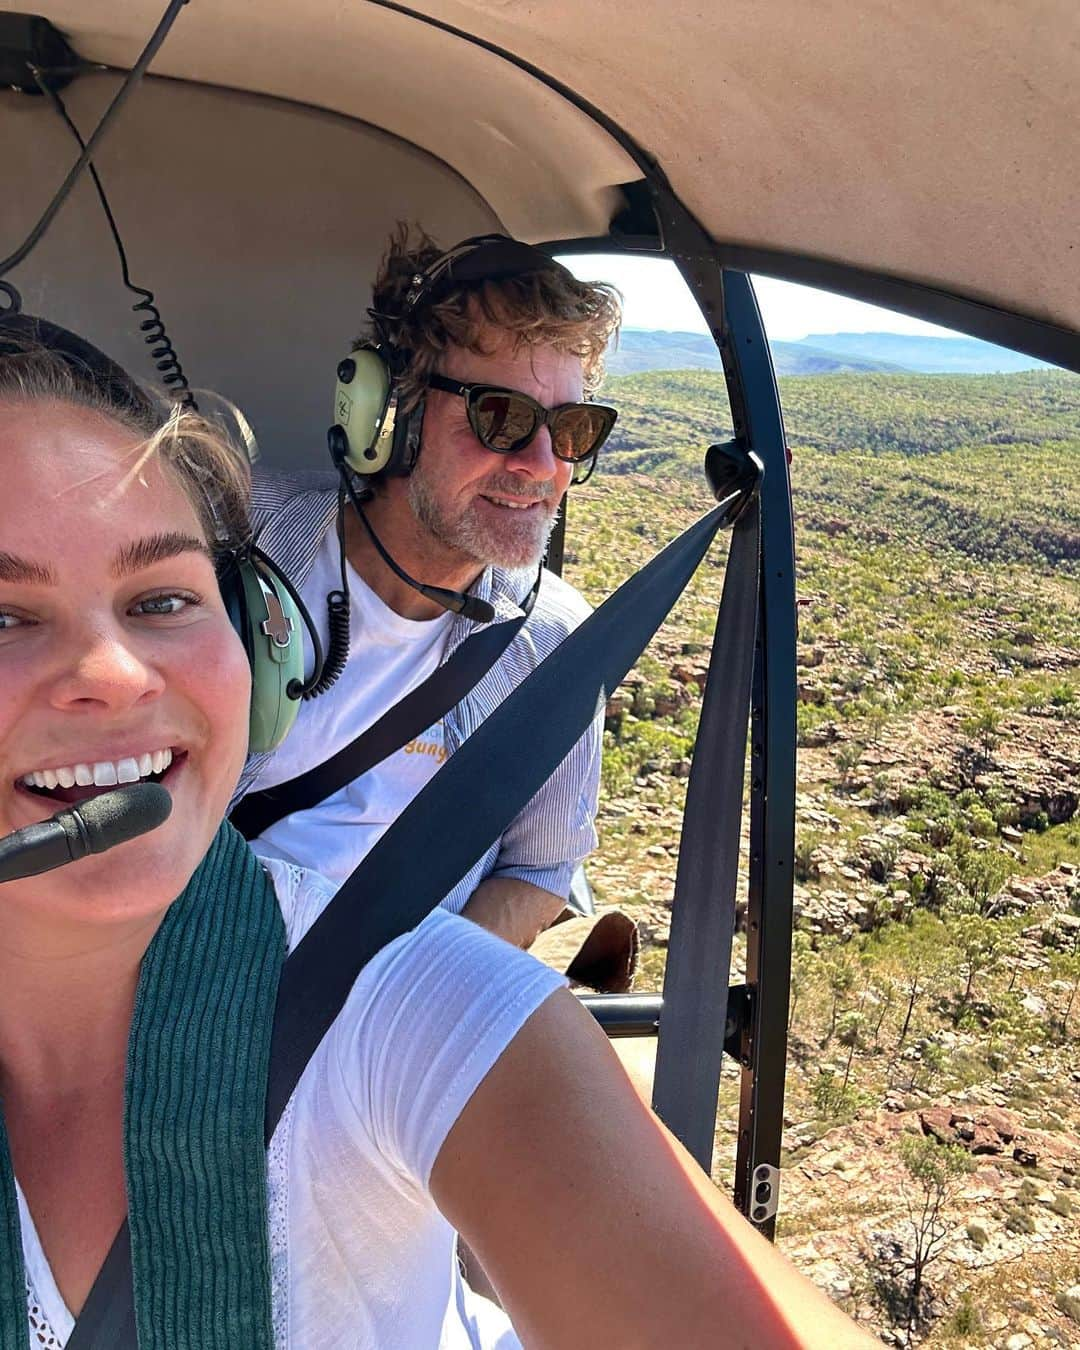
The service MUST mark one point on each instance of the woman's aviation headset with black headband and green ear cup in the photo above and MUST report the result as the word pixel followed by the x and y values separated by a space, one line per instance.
pixel 263 605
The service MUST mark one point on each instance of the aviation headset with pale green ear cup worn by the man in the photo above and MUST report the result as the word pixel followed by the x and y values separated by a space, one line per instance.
pixel 371 434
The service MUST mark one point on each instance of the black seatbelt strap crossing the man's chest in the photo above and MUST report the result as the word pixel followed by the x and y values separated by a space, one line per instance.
pixel 399 726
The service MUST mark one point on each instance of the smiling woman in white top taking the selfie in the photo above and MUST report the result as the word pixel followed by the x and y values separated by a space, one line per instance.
pixel 138 986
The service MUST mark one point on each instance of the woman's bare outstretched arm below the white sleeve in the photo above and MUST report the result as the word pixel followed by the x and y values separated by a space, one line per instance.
pixel 596 1226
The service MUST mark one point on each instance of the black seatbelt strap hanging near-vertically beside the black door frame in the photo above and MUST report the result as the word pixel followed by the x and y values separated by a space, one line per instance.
pixel 695 1012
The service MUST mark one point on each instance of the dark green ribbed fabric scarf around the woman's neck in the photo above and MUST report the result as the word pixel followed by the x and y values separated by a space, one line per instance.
pixel 195 1152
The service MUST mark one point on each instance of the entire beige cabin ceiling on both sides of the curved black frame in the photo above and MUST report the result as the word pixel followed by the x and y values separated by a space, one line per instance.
pixel 935 141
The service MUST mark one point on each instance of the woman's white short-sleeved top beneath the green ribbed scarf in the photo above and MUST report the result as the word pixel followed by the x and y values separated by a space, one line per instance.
pixel 361 1258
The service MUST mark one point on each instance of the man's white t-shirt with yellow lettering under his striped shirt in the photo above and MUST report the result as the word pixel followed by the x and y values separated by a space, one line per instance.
pixel 388 658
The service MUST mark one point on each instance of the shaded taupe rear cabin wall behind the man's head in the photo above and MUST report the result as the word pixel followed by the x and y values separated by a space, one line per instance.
pixel 257 225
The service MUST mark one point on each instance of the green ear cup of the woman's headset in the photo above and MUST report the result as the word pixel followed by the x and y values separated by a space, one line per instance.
pixel 273 634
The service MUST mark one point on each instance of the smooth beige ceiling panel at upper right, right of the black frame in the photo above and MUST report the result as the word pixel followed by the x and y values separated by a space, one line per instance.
pixel 934 140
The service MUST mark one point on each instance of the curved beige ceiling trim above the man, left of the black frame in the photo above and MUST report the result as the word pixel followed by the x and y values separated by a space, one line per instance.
pixel 489 121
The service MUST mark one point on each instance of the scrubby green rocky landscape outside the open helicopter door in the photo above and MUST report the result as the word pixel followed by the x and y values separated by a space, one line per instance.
pixel 938 855
